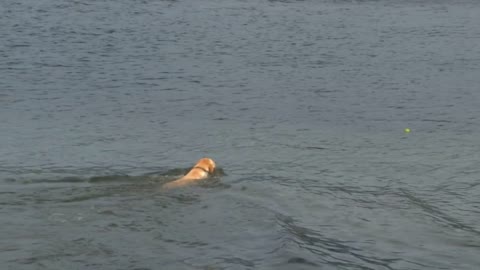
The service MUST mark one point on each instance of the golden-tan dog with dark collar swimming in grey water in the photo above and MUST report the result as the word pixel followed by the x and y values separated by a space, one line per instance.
pixel 202 169
